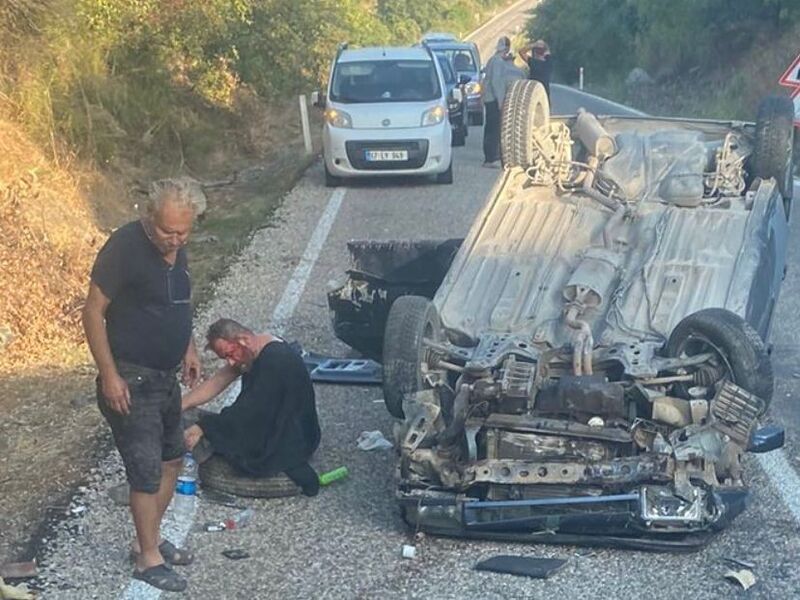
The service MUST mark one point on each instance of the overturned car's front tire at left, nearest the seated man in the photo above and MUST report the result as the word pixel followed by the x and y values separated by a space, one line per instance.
pixel 411 318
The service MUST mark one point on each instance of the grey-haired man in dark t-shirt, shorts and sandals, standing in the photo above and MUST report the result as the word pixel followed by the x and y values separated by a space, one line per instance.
pixel 138 323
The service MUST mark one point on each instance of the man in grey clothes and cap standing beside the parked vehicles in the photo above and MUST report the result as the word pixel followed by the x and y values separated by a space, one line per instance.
pixel 500 72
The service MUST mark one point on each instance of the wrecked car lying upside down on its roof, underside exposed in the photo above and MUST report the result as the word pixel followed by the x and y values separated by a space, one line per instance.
pixel 588 365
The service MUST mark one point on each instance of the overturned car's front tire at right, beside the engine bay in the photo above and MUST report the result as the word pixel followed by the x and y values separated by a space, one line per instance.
pixel 743 351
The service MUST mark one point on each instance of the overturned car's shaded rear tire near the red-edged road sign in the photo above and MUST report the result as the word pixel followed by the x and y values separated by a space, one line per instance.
pixel 772 156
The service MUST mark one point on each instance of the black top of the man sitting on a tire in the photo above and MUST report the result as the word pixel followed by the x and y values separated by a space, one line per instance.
pixel 272 426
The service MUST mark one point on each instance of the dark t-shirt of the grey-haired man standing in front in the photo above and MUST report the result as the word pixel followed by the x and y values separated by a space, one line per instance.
pixel 149 320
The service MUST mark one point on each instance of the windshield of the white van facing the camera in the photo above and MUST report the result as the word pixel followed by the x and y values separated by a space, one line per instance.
pixel 385 81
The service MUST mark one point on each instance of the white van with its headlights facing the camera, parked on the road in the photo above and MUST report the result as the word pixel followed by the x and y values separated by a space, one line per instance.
pixel 386 114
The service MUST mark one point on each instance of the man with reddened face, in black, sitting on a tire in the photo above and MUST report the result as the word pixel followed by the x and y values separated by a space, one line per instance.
pixel 272 426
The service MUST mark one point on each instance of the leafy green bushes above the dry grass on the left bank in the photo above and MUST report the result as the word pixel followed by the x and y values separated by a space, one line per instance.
pixel 113 78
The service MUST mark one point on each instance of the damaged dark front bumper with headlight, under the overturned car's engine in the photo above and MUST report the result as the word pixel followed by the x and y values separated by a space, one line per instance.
pixel 646 518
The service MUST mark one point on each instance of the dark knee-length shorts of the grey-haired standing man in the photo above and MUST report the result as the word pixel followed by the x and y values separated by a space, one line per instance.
pixel 151 433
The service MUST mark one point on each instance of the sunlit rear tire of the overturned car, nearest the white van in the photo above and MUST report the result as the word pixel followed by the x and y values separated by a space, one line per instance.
pixel 526 111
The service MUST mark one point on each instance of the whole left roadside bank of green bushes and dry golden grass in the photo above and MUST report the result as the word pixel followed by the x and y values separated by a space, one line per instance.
pixel 100 96
